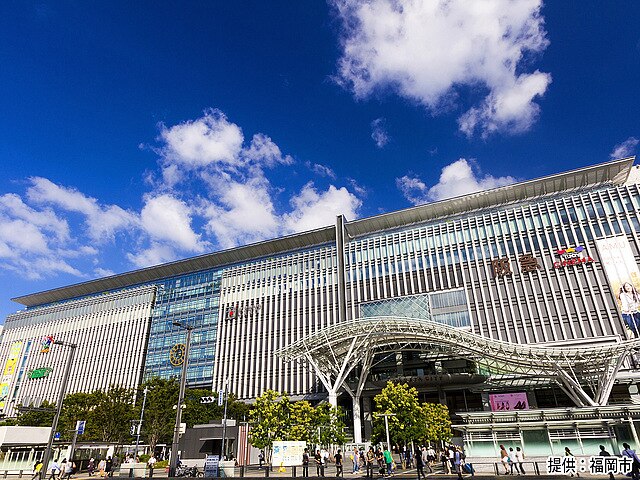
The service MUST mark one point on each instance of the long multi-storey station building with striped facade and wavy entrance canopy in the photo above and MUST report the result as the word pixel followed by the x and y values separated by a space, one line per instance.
pixel 514 306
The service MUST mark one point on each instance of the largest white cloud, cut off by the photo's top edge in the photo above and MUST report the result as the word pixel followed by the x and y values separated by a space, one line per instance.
pixel 427 51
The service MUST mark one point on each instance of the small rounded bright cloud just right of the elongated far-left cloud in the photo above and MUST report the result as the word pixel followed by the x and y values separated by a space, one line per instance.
pixel 167 219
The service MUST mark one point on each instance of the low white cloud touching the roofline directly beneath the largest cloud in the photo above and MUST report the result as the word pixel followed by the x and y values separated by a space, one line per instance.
pixel 456 179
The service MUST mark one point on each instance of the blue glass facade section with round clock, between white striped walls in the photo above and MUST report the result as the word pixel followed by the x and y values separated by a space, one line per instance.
pixel 192 300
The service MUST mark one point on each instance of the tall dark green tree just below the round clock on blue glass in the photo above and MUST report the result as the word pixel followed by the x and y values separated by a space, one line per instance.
pixel 159 414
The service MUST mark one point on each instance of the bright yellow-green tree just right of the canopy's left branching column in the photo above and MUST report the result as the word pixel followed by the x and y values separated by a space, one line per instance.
pixel 407 422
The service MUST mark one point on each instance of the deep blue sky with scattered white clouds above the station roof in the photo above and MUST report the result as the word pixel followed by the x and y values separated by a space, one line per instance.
pixel 135 133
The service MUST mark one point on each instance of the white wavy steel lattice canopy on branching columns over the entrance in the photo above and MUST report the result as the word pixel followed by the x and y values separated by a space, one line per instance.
pixel 586 373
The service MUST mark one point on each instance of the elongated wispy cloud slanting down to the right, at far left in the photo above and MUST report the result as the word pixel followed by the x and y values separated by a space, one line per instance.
pixel 103 222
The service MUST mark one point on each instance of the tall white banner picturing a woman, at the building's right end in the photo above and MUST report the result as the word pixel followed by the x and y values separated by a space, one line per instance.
pixel 624 278
